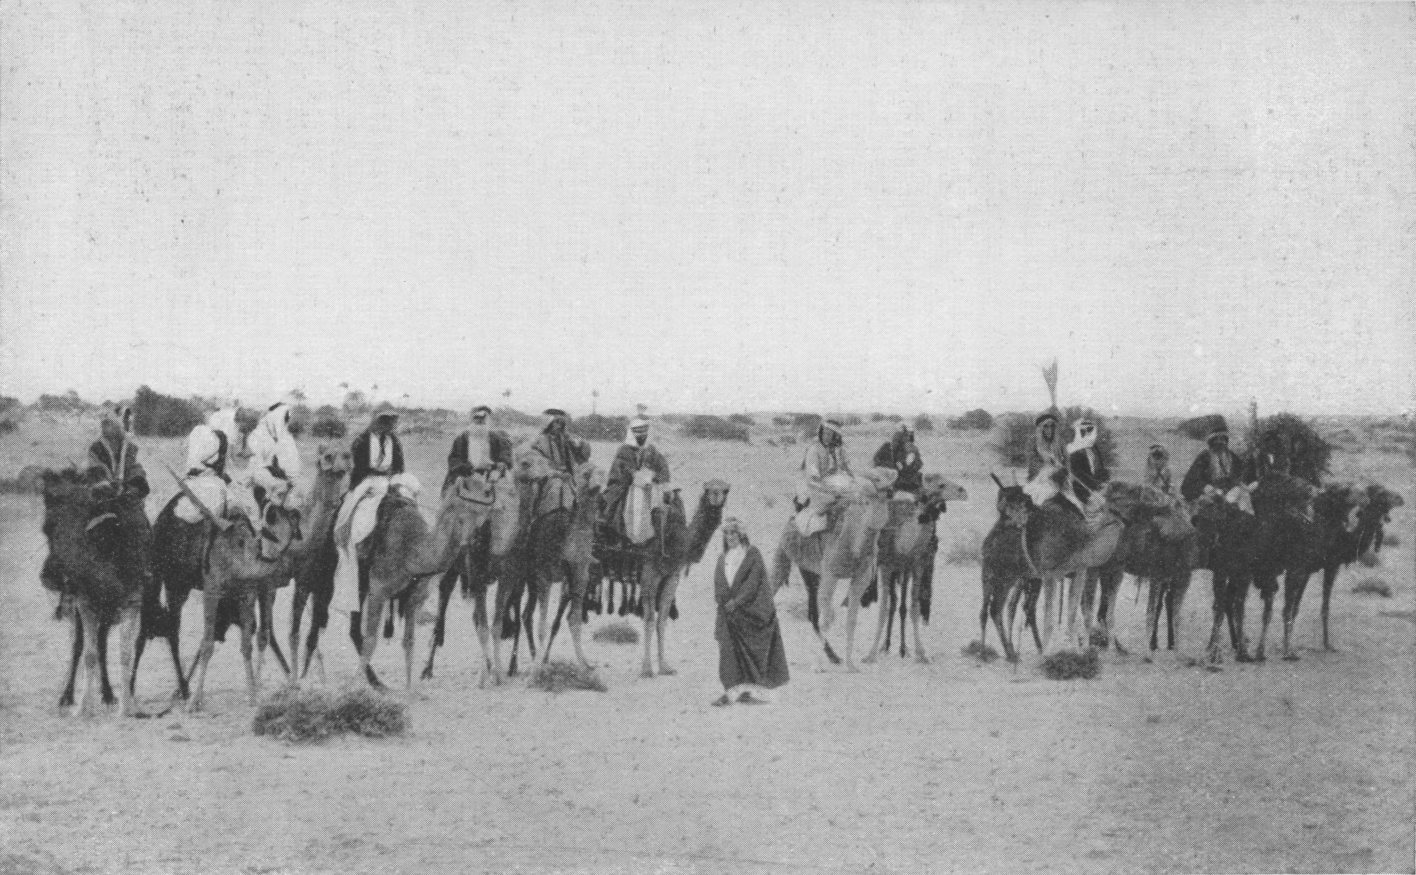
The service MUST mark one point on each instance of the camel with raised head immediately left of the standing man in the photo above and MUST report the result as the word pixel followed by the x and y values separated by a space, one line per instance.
pixel 675 549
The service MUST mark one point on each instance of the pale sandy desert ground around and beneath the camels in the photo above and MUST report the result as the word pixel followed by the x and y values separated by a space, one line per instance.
pixel 903 768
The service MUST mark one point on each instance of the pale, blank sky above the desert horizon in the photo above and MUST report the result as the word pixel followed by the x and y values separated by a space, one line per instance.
pixel 713 206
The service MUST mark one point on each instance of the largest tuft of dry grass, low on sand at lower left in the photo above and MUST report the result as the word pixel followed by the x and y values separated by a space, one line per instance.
pixel 314 716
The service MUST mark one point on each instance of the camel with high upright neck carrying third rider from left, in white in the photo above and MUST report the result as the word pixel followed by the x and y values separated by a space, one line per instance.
pixel 314 566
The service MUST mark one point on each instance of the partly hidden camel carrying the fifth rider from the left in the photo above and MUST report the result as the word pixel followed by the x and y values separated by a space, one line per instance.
pixel 478 566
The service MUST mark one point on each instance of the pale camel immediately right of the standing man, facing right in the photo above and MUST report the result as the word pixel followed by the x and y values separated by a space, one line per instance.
pixel 846 550
